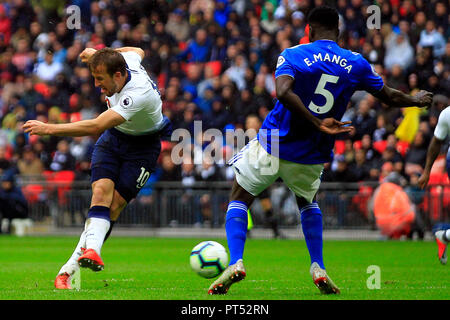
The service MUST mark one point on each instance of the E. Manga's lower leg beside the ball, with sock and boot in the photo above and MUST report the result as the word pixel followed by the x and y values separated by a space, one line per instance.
pixel 236 228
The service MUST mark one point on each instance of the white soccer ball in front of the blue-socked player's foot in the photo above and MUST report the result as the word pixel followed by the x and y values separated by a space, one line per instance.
pixel 209 259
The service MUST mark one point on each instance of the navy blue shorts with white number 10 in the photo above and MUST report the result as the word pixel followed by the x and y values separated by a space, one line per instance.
pixel 127 160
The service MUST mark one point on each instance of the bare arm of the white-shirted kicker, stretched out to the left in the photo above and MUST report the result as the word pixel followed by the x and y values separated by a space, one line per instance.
pixel 105 120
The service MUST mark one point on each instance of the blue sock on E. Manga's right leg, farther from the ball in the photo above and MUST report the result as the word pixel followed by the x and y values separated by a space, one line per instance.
pixel 311 218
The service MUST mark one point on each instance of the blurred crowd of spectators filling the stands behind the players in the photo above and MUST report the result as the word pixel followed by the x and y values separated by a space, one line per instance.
pixel 214 61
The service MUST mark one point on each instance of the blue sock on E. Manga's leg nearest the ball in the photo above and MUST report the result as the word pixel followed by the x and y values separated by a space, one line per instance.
pixel 236 228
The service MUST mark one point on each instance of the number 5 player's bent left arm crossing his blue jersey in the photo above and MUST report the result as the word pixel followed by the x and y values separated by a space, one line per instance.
pixel 293 102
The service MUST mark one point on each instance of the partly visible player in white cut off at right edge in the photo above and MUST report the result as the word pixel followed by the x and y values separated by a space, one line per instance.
pixel 441 132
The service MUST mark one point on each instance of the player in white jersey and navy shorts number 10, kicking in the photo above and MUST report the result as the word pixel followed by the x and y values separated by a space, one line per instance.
pixel 125 154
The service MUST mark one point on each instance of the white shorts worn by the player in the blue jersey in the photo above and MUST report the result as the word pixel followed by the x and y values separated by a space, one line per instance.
pixel 255 170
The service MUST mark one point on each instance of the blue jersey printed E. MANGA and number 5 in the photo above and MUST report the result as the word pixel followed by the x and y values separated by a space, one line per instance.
pixel 325 78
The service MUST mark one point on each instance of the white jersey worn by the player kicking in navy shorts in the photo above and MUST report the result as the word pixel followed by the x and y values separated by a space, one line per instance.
pixel 139 101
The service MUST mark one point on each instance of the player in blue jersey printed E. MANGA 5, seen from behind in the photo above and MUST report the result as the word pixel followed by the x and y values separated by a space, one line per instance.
pixel 314 83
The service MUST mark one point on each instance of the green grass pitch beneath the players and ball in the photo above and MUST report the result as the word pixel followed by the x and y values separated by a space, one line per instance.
pixel 158 269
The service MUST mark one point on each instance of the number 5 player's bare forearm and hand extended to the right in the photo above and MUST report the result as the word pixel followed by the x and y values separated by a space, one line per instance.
pixel 398 99
